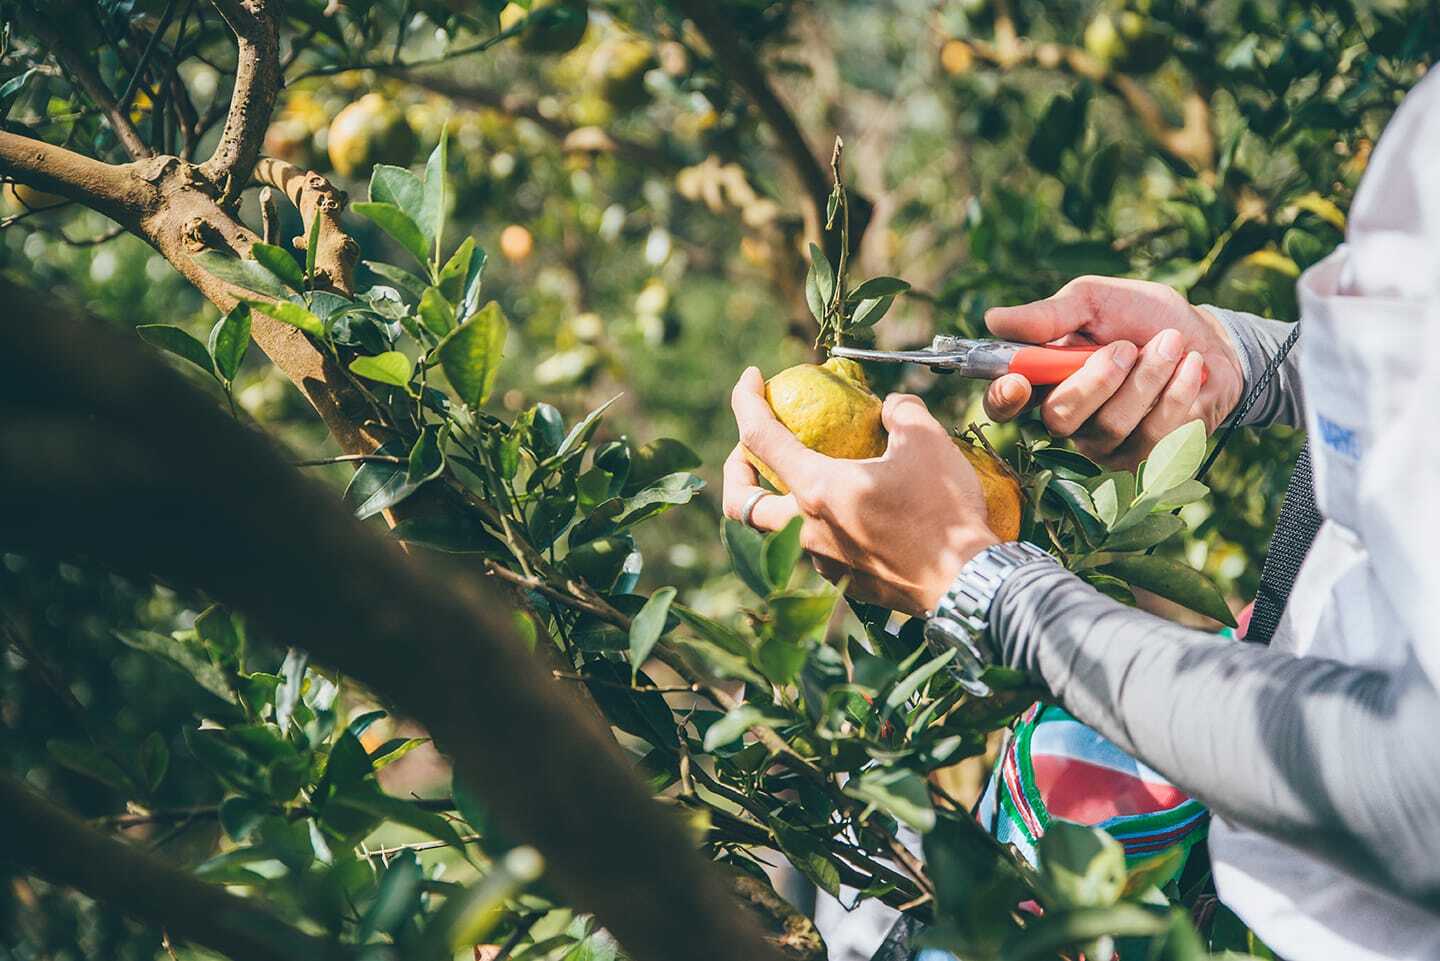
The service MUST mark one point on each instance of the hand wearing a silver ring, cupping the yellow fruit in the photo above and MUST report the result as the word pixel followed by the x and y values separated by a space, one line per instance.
pixel 899 527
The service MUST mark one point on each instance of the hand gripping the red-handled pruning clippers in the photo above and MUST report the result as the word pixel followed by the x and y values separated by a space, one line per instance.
pixel 1148 380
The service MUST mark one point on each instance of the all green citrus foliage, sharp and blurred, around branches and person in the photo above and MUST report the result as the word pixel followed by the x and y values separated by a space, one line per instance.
pixel 626 176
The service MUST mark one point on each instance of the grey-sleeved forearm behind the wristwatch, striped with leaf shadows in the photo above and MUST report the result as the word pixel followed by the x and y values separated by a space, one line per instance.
pixel 1327 757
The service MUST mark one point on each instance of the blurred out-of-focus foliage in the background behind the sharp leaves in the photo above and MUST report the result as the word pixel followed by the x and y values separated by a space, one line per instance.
pixel 646 228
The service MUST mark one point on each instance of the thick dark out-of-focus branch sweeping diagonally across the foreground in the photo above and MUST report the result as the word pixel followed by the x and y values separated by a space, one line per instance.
pixel 87 447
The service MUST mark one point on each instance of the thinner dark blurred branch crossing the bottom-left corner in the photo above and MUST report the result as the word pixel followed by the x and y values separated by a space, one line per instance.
pixel 64 849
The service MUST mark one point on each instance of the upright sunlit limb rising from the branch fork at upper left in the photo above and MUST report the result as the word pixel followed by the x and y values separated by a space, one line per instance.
pixel 253 100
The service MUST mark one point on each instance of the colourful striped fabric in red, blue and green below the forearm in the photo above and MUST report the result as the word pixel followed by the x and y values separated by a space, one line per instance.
pixel 1055 767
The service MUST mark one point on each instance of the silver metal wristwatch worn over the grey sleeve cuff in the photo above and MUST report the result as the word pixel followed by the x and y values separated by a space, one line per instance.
pixel 961 620
